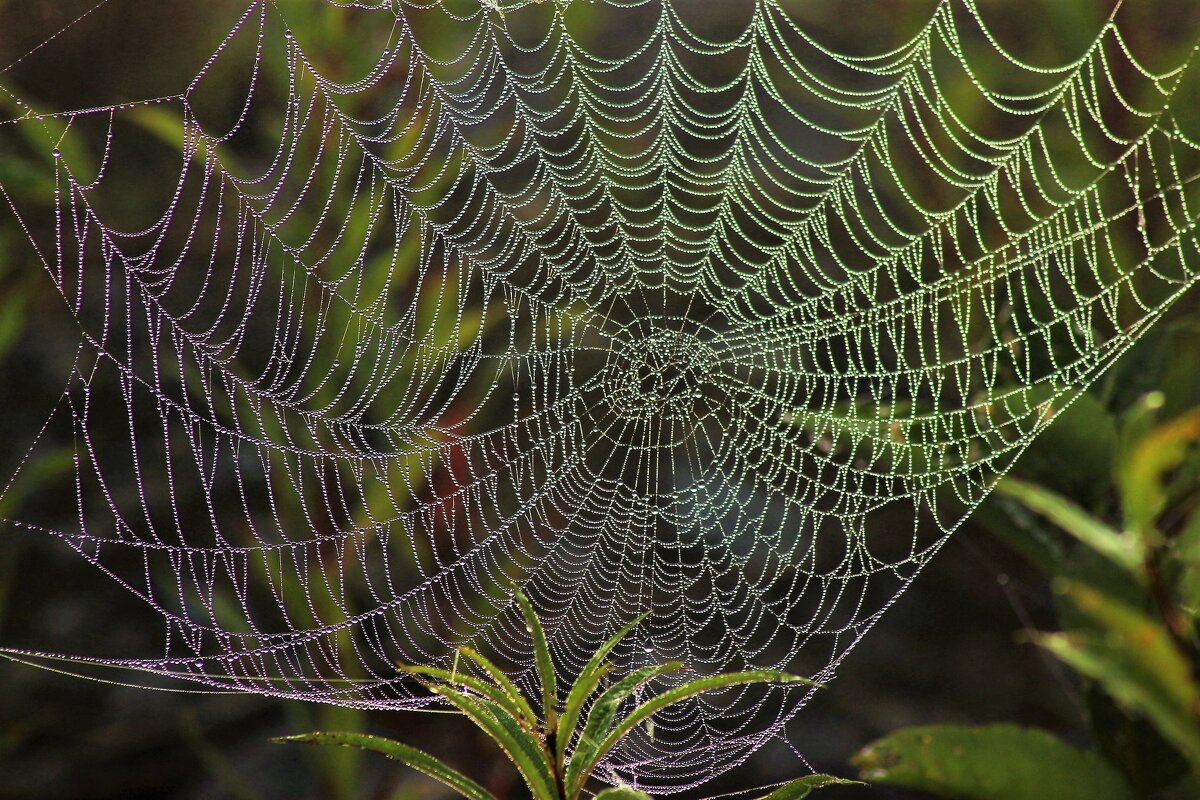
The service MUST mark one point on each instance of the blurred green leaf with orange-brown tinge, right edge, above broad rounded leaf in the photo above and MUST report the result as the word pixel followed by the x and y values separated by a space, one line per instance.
pixel 1136 660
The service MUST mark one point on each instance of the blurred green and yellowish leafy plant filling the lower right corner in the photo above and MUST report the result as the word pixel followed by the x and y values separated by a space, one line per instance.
pixel 1124 558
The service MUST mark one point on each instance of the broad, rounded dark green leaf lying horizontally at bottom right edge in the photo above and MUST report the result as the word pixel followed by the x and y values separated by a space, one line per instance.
pixel 1001 762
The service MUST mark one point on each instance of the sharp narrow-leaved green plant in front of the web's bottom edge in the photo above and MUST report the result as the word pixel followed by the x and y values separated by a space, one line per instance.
pixel 542 748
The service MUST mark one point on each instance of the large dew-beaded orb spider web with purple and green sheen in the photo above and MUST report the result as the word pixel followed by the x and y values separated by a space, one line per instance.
pixel 628 308
